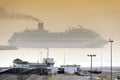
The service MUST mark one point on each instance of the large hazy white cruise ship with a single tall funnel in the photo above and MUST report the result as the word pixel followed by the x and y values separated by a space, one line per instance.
pixel 72 38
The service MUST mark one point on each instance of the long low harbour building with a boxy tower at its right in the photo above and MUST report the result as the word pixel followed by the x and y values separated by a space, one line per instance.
pixel 48 63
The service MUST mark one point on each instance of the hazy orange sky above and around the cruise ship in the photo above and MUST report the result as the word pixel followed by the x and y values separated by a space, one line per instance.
pixel 102 16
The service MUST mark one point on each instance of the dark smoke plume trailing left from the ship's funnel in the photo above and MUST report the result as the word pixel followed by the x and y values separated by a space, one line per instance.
pixel 18 16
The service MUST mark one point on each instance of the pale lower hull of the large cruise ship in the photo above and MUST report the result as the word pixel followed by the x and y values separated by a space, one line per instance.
pixel 83 44
